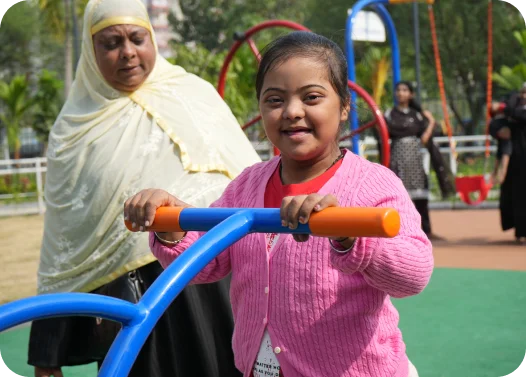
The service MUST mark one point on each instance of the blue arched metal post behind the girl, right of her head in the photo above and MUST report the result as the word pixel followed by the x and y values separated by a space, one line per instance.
pixel 379 8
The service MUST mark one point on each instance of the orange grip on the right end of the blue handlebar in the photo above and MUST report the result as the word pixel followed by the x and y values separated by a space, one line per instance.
pixel 355 222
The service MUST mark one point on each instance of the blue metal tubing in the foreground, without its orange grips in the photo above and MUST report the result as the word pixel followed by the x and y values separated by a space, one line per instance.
pixel 224 226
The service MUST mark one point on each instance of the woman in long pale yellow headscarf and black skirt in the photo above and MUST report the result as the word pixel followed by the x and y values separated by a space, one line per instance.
pixel 132 121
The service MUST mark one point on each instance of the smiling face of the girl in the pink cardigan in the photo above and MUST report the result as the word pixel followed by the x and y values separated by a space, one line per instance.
pixel 301 111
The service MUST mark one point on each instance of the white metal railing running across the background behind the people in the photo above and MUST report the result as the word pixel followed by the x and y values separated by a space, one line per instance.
pixel 38 166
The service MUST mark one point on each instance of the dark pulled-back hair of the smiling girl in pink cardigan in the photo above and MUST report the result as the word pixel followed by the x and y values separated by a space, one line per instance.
pixel 308 45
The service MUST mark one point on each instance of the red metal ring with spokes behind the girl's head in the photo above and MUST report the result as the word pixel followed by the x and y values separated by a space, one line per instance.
pixel 246 37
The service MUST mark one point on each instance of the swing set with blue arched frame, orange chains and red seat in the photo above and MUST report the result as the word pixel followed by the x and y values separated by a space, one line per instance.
pixel 464 185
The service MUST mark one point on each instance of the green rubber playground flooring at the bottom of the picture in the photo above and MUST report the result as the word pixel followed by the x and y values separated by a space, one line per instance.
pixel 466 323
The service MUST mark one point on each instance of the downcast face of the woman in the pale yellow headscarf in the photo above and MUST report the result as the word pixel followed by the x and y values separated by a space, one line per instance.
pixel 125 55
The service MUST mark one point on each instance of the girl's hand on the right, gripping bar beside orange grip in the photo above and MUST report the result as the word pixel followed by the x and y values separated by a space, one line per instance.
pixel 297 209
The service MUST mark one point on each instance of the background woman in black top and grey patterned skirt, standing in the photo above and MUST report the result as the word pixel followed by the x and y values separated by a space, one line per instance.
pixel 410 127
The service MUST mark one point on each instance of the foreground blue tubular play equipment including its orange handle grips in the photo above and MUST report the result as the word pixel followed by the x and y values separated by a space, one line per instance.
pixel 225 226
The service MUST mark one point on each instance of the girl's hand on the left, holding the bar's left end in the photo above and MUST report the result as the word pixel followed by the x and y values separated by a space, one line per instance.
pixel 140 209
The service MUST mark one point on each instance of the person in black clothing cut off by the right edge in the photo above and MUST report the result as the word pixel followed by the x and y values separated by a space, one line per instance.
pixel 512 198
